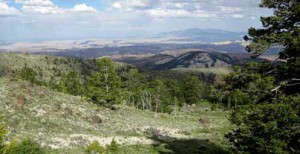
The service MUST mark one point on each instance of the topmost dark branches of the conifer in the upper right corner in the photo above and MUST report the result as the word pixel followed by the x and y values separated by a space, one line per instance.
pixel 282 28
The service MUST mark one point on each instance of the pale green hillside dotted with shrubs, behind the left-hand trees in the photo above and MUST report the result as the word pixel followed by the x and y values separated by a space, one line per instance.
pixel 45 66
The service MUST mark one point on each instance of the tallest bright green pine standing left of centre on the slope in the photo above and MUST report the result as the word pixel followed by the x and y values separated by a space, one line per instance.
pixel 104 85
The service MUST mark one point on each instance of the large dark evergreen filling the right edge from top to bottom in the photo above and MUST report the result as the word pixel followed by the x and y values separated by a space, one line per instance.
pixel 270 121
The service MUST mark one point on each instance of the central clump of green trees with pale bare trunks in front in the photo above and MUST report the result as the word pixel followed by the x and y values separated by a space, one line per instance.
pixel 149 91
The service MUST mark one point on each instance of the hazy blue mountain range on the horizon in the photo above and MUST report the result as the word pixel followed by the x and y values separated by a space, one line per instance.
pixel 203 35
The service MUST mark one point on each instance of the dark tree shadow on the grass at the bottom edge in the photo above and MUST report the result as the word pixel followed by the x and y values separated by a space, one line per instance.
pixel 169 145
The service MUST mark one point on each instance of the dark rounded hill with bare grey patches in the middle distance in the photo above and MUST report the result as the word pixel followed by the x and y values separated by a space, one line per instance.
pixel 189 58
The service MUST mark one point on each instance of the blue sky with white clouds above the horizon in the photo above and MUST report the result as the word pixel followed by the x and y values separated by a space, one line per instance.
pixel 39 20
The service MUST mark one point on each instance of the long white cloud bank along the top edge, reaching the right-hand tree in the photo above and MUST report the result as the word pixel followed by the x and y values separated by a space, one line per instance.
pixel 192 8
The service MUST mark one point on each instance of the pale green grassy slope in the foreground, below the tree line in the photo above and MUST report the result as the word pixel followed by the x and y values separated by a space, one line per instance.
pixel 65 124
